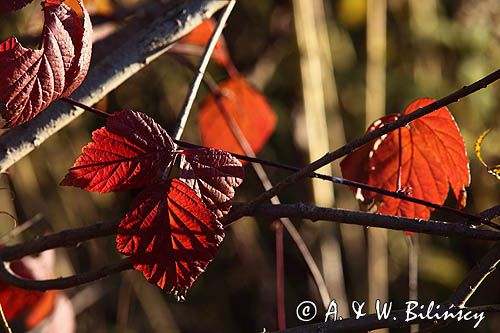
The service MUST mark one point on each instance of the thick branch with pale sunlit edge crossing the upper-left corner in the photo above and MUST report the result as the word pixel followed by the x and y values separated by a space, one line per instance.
pixel 119 65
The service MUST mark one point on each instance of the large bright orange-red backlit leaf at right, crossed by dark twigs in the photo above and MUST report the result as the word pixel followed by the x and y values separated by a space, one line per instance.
pixel 433 159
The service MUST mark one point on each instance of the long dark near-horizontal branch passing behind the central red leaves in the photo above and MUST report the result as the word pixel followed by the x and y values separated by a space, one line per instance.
pixel 72 237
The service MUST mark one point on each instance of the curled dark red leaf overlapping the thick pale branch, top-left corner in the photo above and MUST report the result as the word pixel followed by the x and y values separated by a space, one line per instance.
pixel 32 79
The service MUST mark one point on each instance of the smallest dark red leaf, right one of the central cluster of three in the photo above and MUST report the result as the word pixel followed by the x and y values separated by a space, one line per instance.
pixel 213 174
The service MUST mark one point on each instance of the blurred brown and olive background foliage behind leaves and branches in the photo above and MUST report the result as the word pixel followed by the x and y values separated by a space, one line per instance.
pixel 433 48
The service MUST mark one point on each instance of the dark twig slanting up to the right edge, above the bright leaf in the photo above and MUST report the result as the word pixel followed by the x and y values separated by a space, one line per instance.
pixel 355 144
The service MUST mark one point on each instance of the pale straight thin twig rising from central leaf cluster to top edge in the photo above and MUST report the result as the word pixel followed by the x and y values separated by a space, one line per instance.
pixel 195 85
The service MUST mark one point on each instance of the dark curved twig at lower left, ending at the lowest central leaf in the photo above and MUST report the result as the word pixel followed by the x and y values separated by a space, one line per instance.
pixel 66 282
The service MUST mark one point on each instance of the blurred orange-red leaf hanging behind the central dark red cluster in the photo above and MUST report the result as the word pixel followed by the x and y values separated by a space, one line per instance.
pixel 243 105
